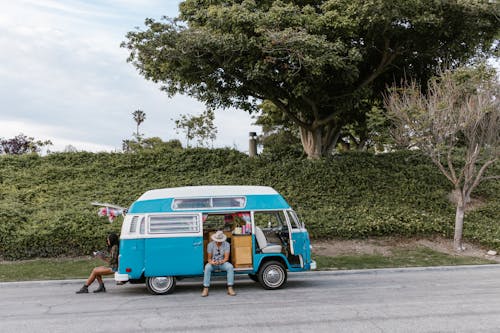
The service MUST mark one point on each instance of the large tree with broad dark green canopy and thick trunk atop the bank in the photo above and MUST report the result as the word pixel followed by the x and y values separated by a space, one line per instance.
pixel 315 60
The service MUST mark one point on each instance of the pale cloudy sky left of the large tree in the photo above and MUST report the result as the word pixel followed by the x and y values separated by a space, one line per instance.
pixel 64 77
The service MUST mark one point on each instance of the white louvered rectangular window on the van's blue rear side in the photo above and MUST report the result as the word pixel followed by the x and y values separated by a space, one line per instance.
pixel 174 224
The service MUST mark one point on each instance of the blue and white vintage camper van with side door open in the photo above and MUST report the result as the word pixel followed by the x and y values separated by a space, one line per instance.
pixel 165 234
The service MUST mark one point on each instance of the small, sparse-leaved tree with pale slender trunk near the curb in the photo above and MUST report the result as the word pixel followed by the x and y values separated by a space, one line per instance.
pixel 459 115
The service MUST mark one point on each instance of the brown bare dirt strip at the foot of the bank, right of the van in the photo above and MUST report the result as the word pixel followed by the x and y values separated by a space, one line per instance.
pixel 385 245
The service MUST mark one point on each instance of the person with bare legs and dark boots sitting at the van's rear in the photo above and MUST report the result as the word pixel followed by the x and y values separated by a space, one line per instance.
pixel 113 242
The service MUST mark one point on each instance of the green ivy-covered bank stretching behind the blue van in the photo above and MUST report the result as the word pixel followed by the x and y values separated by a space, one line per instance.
pixel 45 206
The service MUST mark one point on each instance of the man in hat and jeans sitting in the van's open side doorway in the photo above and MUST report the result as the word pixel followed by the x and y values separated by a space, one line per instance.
pixel 218 258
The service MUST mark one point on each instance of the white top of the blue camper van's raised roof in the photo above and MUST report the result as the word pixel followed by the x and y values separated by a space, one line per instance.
pixel 206 191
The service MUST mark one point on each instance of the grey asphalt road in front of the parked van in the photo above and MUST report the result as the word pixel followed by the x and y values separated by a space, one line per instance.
pixel 458 299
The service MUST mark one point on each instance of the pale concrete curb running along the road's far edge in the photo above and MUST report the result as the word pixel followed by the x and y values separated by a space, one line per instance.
pixel 309 273
